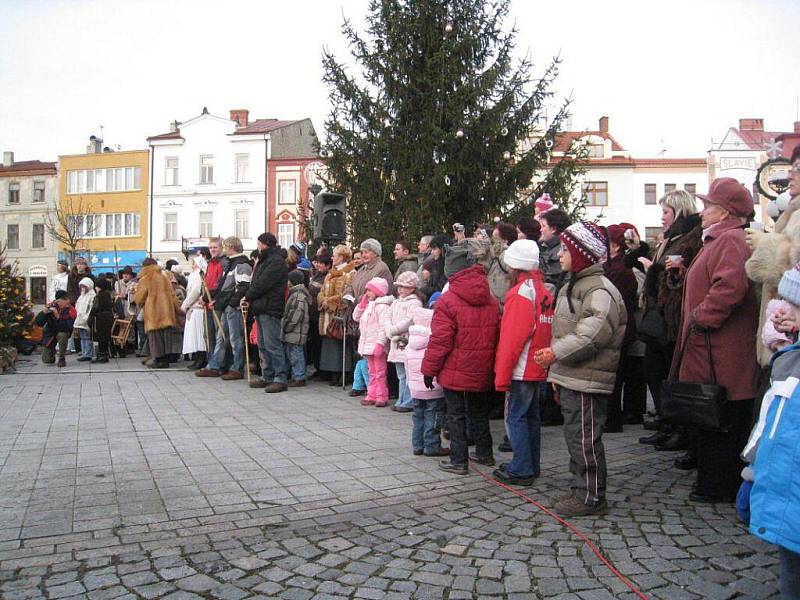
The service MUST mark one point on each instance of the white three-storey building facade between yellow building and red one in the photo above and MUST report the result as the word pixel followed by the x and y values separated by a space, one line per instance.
pixel 208 180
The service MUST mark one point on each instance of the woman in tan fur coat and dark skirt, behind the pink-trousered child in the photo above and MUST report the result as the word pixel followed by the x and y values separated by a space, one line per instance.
pixel 331 305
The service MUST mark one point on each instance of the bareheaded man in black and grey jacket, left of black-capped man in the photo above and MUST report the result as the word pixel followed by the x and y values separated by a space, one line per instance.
pixel 231 288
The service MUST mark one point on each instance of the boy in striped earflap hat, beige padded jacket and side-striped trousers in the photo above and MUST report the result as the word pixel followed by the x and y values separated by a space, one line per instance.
pixel 588 328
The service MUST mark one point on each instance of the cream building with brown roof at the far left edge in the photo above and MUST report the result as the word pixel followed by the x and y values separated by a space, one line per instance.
pixel 28 192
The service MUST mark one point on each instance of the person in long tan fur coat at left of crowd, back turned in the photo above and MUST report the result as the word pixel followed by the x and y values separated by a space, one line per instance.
pixel 155 296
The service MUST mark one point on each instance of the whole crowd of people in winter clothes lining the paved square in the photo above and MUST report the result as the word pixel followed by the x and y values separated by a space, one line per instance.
pixel 558 322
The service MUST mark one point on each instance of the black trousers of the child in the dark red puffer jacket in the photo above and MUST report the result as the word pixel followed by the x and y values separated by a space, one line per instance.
pixel 476 405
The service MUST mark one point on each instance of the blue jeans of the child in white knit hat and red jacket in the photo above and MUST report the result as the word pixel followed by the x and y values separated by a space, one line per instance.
pixel 524 428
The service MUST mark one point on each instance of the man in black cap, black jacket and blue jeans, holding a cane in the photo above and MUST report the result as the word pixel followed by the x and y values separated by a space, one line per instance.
pixel 267 296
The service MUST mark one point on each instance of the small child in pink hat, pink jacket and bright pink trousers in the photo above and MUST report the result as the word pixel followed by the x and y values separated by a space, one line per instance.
pixel 370 314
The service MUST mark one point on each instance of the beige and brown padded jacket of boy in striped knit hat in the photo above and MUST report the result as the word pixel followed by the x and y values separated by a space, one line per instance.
pixel 588 341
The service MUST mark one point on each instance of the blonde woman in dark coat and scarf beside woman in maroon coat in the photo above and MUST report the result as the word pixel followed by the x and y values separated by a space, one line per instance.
pixel 663 295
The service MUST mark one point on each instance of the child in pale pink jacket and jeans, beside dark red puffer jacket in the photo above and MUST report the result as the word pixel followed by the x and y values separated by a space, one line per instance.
pixel 428 404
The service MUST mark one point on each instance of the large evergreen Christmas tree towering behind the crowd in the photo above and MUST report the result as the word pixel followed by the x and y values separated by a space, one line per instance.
pixel 440 123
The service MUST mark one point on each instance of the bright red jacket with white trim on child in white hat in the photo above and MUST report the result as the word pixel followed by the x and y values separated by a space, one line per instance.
pixel 527 326
